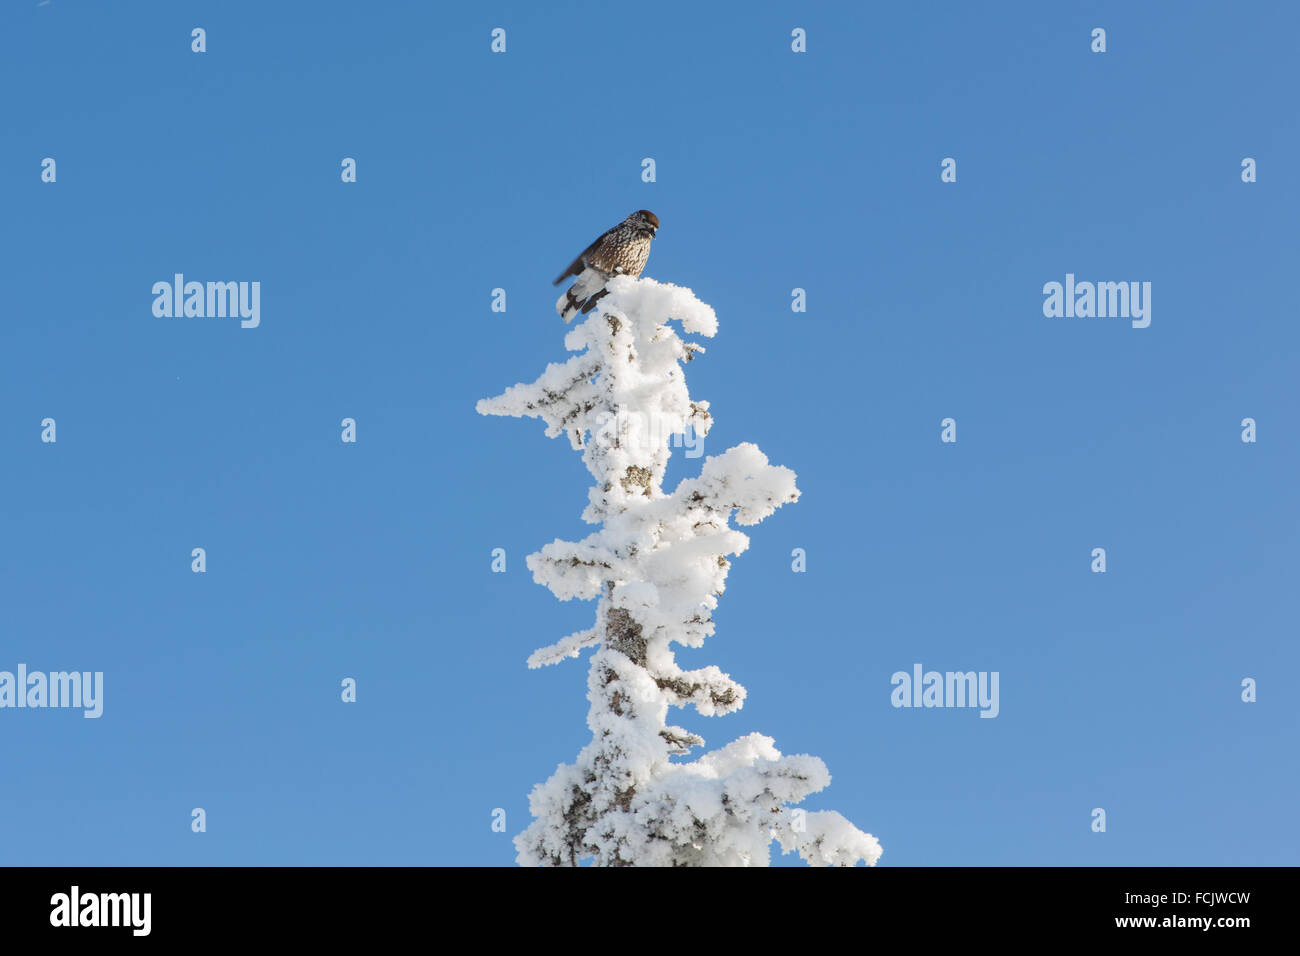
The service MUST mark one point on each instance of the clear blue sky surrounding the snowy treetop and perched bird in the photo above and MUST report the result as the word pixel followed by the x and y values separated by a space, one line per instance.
pixel 482 171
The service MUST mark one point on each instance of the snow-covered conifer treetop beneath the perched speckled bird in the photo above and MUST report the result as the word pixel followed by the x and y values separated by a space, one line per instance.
pixel 656 569
